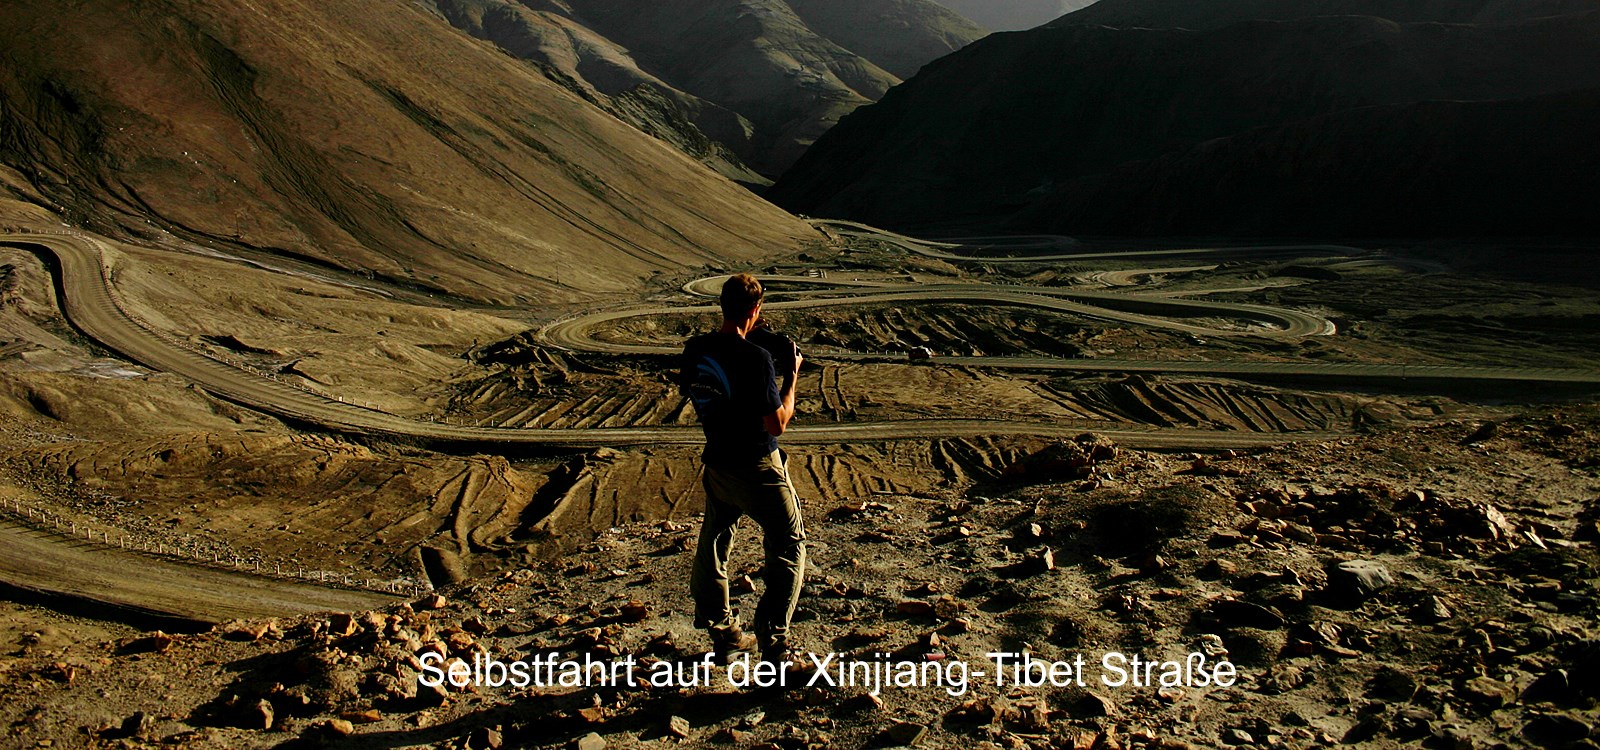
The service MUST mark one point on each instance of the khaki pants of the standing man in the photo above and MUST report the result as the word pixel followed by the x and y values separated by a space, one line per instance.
pixel 766 495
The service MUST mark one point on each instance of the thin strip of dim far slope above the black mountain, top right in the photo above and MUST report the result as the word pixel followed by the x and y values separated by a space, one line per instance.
pixel 1220 14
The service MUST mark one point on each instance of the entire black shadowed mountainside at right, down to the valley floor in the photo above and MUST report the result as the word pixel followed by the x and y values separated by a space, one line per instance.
pixel 1022 127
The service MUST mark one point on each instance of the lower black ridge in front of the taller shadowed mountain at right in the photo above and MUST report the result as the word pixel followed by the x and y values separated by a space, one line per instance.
pixel 1452 175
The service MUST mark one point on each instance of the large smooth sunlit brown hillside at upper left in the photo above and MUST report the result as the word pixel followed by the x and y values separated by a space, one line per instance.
pixel 359 135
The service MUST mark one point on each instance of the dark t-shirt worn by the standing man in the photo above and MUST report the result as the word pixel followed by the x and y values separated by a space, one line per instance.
pixel 734 388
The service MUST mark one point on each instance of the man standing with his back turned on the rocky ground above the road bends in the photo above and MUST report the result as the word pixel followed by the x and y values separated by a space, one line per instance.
pixel 732 383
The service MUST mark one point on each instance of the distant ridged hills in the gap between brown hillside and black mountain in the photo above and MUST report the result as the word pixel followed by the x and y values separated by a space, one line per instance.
pixel 759 79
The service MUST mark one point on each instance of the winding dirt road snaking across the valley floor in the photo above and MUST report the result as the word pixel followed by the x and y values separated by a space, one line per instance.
pixel 89 300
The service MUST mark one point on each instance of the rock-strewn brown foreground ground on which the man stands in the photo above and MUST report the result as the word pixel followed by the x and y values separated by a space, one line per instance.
pixel 1487 537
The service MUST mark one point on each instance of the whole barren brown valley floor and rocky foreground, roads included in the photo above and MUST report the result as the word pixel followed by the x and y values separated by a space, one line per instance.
pixel 1276 412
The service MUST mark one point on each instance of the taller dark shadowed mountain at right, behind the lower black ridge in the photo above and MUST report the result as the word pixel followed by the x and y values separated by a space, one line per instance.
pixel 1006 122
